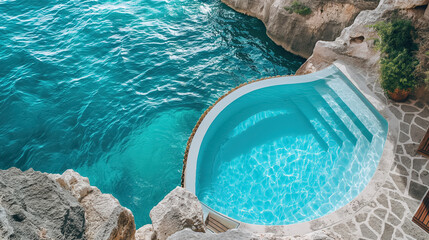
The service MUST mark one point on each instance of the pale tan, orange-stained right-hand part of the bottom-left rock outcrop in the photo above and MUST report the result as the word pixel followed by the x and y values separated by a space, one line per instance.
pixel 105 217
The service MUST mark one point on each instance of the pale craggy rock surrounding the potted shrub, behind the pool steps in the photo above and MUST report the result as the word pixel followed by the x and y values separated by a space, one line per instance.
pixel 355 45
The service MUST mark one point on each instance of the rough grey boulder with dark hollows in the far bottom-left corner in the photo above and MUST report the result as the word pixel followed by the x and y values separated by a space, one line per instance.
pixel 33 206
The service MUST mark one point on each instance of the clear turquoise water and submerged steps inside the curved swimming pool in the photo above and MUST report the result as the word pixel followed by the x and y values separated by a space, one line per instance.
pixel 290 153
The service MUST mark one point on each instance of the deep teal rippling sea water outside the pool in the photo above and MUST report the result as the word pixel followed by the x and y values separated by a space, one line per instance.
pixel 113 89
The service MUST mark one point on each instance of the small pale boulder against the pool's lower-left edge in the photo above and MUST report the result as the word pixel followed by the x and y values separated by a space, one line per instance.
pixel 180 209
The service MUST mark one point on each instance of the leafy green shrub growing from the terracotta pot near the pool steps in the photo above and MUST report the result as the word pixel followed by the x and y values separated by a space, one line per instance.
pixel 398 62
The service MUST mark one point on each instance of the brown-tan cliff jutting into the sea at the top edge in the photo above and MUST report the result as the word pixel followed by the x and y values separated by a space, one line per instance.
pixel 299 33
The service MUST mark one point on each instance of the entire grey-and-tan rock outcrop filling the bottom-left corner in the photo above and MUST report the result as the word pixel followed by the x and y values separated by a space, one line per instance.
pixel 35 205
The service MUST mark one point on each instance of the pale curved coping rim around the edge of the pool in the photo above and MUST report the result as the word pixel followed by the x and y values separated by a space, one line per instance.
pixel 345 212
